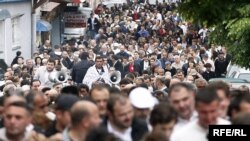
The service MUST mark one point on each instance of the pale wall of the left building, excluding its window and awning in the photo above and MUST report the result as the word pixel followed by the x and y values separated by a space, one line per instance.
pixel 7 48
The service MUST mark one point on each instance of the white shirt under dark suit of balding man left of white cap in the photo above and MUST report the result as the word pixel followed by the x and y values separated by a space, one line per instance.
pixel 125 136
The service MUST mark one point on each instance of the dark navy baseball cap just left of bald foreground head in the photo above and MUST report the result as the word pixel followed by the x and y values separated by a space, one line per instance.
pixel 66 101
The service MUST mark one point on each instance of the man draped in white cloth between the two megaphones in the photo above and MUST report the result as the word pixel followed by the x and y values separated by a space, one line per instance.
pixel 97 74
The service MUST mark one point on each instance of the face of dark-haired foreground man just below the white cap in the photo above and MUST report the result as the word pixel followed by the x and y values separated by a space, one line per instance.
pixel 167 128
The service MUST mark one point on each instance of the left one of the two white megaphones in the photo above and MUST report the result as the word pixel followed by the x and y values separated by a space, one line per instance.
pixel 58 77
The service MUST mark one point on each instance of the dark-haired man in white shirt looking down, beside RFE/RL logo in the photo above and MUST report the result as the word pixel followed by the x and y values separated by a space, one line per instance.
pixel 207 103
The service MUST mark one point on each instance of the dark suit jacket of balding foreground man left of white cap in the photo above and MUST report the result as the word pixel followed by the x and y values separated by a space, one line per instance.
pixel 139 128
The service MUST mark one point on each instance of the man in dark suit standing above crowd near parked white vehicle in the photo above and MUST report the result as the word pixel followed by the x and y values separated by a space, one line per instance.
pixel 93 26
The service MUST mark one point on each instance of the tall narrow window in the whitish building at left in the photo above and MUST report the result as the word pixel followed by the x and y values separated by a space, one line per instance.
pixel 16 36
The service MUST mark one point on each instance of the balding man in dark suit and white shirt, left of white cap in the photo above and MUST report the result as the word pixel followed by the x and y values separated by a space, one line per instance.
pixel 120 120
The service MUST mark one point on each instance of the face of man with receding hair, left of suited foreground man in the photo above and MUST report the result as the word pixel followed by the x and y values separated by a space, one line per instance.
pixel 101 97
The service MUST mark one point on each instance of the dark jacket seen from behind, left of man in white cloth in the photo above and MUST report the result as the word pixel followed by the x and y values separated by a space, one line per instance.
pixel 80 70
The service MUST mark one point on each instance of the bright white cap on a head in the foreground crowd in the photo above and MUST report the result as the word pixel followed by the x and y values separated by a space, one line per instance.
pixel 141 98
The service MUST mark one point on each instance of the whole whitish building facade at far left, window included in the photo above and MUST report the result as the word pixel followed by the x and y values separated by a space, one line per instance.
pixel 15 29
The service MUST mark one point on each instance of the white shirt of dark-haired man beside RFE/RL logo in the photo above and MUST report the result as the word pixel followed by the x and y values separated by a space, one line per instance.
pixel 194 132
